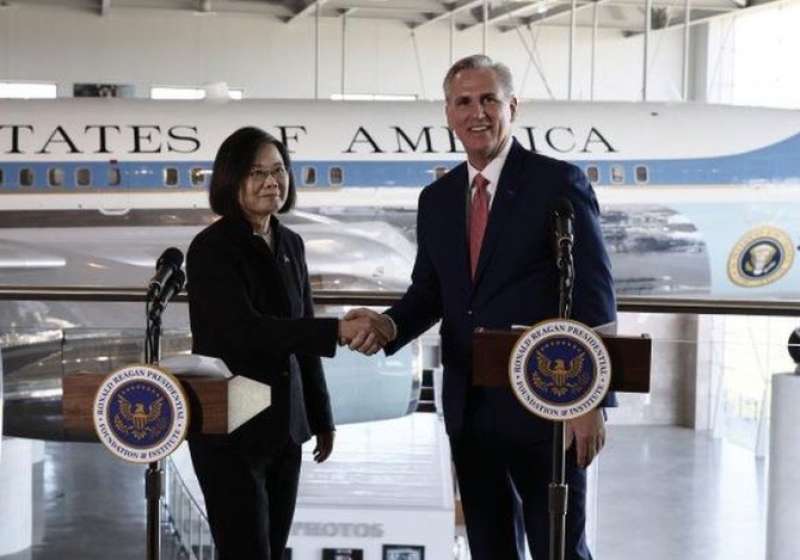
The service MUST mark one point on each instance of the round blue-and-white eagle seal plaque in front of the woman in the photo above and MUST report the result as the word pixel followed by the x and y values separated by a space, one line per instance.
pixel 141 413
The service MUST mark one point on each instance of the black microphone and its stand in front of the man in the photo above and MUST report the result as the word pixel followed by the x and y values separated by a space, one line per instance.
pixel 558 490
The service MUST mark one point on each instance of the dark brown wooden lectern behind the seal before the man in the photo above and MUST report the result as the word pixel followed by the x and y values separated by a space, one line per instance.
pixel 630 359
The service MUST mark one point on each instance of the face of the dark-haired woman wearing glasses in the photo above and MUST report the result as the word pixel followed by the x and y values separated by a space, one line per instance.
pixel 264 189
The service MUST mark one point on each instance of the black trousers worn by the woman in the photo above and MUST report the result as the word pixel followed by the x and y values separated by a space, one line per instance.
pixel 250 499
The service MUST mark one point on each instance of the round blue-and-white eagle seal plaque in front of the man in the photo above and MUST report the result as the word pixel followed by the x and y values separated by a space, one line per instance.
pixel 560 369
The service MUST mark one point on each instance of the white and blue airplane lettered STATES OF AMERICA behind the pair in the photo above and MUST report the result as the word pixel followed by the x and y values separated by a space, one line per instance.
pixel 696 199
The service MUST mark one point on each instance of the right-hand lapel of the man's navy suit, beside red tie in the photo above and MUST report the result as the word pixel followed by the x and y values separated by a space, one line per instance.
pixel 501 210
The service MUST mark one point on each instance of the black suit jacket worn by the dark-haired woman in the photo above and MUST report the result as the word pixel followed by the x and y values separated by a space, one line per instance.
pixel 253 309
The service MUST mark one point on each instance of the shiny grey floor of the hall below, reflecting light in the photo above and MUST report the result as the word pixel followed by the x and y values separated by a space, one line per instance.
pixel 665 493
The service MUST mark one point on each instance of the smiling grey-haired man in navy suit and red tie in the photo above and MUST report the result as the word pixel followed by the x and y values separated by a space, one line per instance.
pixel 485 259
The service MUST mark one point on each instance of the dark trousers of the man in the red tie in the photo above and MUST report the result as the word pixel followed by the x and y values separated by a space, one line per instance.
pixel 503 475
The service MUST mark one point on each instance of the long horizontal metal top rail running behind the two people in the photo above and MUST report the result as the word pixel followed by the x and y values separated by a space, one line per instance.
pixel 632 304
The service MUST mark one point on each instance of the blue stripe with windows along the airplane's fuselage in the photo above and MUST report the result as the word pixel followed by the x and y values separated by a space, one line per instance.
pixel 774 164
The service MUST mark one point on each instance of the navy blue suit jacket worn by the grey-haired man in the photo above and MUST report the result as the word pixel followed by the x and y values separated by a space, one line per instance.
pixel 516 281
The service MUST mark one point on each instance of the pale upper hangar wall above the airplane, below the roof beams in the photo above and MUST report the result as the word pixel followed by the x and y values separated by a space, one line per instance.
pixel 271 59
